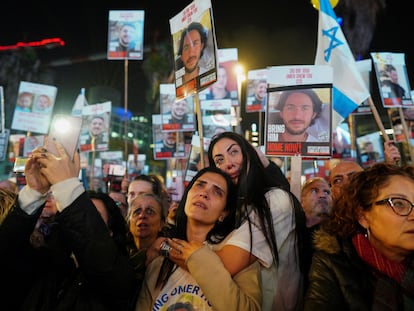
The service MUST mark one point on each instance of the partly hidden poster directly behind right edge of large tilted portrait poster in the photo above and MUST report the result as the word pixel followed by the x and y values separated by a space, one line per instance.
pixel 227 84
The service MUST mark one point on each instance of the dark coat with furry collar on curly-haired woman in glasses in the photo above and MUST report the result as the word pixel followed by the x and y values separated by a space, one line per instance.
pixel 340 280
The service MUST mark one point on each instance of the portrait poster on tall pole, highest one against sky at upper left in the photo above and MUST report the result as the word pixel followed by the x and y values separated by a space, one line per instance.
pixel 126 35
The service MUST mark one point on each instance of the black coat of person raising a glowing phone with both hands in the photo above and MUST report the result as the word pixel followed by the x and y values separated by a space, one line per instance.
pixel 49 278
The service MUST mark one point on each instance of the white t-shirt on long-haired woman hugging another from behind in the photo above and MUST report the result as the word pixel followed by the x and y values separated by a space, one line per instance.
pixel 287 273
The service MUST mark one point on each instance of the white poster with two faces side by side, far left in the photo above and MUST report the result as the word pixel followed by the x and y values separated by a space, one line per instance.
pixel 34 107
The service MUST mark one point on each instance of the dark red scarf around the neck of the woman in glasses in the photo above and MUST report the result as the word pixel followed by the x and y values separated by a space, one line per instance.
pixel 376 260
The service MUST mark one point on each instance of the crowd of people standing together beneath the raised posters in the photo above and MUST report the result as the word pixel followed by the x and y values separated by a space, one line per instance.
pixel 237 239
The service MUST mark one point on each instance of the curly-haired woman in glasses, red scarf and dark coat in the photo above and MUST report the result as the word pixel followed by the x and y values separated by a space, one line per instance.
pixel 364 252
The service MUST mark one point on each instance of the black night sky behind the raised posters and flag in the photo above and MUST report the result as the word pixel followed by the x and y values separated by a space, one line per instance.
pixel 266 33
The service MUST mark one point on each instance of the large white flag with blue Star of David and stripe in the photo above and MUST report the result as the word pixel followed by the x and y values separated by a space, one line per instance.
pixel 349 88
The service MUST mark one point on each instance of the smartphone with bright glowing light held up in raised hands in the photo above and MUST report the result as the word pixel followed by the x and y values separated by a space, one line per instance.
pixel 66 130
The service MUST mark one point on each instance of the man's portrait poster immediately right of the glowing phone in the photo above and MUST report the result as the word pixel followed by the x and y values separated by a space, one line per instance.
pixel 95 127
